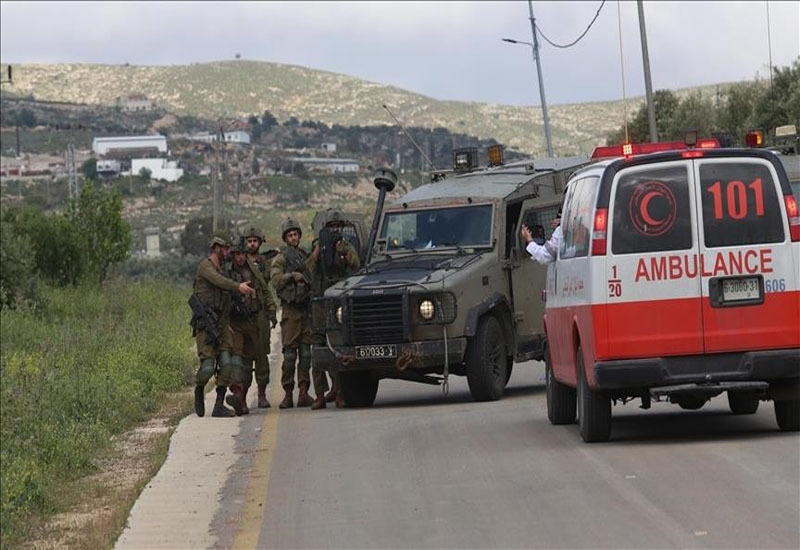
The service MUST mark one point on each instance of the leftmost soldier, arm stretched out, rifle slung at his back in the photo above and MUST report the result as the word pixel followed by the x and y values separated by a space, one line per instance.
pixel 210 305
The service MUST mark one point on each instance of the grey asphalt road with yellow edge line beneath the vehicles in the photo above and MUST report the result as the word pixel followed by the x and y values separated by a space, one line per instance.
pixel 420 470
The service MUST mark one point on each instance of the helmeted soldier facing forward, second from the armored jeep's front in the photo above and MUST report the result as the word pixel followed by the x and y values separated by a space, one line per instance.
pixel 291 278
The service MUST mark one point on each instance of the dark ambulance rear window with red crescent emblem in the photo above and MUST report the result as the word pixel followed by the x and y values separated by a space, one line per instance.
pixel 652 211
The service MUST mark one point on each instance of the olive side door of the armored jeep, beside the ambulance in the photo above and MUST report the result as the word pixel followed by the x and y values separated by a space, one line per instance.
pixel 528 276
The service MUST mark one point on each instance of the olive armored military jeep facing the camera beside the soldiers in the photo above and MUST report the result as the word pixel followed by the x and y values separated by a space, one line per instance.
pixel 447 286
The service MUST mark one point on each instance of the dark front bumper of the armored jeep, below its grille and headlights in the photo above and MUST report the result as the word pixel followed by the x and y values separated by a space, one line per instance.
pixel 412 355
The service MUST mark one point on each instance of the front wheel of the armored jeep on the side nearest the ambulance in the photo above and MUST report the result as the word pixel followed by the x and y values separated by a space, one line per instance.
pixel 487 365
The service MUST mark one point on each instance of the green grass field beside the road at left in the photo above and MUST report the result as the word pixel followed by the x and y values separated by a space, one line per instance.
pixel 90 364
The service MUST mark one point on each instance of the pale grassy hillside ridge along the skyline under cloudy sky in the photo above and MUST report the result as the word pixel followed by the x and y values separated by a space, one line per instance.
pixel 236 88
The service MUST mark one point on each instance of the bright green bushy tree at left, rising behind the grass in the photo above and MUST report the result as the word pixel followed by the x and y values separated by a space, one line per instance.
pixel 104 236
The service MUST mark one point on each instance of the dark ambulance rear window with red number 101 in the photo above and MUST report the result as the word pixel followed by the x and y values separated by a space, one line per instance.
pixel 740 204
